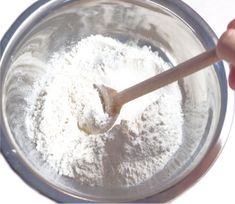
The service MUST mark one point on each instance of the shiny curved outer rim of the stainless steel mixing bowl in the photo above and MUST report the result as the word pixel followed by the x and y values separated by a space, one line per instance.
pixel 206 36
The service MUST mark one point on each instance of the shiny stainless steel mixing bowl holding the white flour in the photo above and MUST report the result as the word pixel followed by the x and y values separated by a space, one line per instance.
pixel 169 27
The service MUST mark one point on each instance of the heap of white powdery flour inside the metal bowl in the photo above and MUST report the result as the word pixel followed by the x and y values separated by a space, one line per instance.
pixel 144 138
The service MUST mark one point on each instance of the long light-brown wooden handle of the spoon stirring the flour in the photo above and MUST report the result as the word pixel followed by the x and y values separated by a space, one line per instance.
pixel 184 69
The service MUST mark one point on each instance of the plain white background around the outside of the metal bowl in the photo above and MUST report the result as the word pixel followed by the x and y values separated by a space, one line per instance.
pixel 215 187
